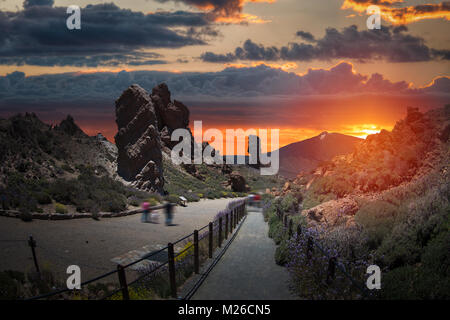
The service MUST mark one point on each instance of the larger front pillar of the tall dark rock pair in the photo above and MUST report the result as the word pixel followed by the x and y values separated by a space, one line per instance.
pixel 138 140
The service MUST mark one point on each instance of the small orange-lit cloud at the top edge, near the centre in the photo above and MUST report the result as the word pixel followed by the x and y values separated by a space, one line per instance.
pixel 228 11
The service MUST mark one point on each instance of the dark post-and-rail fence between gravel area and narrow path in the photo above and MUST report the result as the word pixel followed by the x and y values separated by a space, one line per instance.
pixel 218 229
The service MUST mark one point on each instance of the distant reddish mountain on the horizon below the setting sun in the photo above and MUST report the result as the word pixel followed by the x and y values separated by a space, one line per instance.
pixel 306 155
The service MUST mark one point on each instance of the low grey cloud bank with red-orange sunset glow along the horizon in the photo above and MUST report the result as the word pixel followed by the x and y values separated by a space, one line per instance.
pixel 260 97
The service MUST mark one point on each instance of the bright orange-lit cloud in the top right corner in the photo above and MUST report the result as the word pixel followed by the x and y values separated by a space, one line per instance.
pixel 391 11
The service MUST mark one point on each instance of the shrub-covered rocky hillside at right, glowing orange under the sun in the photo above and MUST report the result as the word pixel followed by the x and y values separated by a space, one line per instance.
pixel 387 203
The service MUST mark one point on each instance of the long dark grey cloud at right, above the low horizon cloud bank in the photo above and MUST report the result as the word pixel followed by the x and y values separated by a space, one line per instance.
pixel 391 44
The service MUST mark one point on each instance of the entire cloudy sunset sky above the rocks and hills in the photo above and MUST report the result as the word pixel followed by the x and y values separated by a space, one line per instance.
pixel 300 66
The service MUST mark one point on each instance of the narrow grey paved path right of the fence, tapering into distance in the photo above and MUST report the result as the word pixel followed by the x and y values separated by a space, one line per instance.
pixel 247 270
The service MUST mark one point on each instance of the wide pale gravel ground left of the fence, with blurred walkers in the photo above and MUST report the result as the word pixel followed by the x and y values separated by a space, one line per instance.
pixel 92 244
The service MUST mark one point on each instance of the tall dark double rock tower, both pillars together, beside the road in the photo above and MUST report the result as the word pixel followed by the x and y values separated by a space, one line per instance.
pixel 146 123
